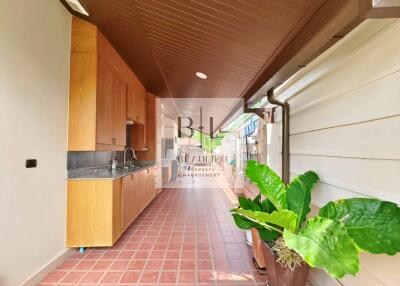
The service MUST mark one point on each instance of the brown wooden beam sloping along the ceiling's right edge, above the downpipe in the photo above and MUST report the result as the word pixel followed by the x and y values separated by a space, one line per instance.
pixel 330 23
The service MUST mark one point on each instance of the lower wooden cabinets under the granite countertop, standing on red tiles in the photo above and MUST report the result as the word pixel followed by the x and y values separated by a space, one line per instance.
pixel 99 211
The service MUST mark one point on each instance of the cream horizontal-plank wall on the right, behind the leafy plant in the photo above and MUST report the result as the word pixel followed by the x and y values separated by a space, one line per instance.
pixel 345 125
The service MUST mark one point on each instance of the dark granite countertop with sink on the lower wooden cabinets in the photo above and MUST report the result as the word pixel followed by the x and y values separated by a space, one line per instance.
pixel 105 172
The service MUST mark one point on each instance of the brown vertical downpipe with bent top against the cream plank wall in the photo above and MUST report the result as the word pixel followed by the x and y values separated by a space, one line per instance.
pixel 285 135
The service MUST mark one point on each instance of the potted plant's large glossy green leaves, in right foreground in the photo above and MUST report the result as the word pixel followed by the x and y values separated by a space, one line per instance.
pixel 331 241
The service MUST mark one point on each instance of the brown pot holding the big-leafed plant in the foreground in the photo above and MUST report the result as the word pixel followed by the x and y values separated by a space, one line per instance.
pixel 277 275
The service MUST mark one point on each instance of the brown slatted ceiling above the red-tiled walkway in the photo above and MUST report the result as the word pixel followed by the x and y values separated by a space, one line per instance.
pixel 167 41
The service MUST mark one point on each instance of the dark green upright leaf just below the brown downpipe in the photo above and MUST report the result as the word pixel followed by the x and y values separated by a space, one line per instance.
pixel 299 194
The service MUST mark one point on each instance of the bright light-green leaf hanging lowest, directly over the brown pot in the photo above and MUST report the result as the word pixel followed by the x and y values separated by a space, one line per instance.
pixel 324 243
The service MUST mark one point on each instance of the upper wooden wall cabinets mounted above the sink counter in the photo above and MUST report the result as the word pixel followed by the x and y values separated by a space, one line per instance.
pixel 104 92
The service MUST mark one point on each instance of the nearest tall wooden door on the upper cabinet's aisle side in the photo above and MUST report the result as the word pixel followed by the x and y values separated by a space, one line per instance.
pixel 104 102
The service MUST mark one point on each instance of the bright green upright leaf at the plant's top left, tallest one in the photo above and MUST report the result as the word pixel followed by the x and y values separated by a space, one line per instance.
pixel 269 183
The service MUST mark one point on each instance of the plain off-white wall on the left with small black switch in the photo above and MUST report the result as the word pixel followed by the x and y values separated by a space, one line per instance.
pixel 34 83
